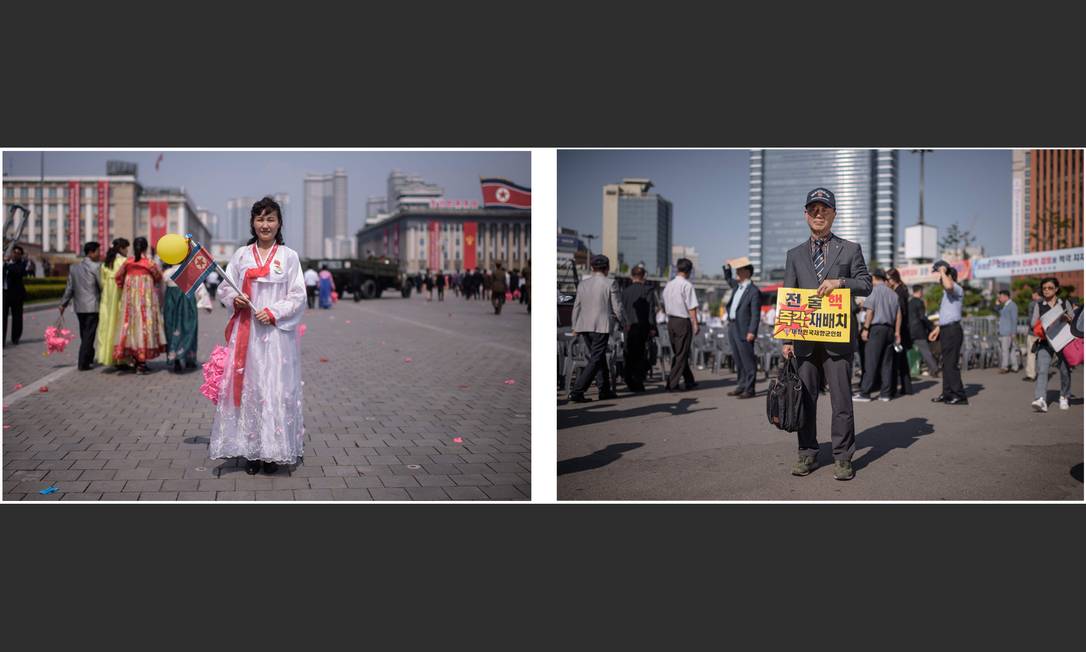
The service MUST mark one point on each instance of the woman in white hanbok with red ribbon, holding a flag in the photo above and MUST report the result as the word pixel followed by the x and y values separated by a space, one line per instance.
pixel 259 416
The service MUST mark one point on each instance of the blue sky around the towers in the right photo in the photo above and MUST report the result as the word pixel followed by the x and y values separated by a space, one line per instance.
pixel 710 193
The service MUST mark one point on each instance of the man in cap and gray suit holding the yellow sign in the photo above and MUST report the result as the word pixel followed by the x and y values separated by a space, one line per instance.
pixel 826 262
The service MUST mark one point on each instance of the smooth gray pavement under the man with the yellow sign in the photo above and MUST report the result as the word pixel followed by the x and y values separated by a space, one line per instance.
pixel 705 446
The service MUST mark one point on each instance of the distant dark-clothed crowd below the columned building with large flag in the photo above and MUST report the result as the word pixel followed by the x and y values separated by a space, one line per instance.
pixel 497 286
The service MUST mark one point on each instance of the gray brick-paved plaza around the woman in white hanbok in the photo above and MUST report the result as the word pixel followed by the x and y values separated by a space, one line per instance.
pixel 377 428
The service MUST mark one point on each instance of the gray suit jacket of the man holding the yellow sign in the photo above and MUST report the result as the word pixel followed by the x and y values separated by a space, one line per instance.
pixel 843 260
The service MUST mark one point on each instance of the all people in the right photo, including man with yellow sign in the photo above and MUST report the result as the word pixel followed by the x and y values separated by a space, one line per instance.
pixel 889 322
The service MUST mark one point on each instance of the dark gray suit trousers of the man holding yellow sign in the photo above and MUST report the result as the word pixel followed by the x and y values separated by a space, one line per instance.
pixel 838 373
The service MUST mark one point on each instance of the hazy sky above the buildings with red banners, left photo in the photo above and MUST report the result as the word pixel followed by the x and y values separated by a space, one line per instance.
pixel 211 179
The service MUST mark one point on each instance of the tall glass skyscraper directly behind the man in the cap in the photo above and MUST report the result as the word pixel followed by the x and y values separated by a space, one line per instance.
pixel 864 182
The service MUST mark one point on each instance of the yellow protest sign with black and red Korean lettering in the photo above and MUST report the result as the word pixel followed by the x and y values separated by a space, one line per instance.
pixel 803 316
